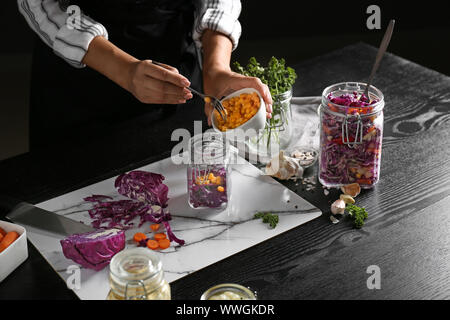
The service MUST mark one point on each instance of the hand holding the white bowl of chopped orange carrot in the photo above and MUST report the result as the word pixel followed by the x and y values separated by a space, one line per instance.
pixel 219 83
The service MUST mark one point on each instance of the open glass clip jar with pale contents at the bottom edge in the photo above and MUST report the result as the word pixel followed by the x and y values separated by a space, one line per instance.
pixel 136 274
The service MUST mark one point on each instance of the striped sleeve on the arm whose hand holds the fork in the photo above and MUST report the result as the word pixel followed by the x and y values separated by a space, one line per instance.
pixel 68 35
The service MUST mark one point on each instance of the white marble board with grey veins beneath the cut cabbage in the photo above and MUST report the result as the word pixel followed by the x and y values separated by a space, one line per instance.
pixel 210 236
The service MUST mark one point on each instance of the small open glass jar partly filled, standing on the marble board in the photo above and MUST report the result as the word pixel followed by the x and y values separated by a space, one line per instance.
pixel 209 172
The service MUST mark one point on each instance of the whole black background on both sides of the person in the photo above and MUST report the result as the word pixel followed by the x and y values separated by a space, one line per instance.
pixel 295 30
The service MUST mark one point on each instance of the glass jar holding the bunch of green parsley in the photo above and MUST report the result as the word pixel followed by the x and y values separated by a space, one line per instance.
pixel 277 134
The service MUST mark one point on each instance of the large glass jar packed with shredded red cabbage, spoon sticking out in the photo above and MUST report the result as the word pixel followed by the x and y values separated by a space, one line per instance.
pixel 350 135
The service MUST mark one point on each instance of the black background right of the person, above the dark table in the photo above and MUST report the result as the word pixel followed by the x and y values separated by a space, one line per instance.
pixel 299 30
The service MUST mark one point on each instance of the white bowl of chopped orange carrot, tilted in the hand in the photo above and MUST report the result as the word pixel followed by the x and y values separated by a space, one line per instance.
pixel 257 122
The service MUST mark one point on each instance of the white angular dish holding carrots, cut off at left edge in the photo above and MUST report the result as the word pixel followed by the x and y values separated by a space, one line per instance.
pixel 16 253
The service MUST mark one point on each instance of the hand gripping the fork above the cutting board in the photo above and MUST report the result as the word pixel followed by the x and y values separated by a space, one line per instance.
pixel 159 84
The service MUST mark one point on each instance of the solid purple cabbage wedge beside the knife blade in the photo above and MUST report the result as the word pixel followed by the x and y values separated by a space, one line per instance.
pixel 93 250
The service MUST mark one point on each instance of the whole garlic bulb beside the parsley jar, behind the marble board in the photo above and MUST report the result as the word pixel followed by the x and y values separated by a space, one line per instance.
pixel 284 167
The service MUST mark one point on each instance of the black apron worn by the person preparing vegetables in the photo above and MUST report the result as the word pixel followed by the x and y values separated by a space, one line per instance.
pixel 71 105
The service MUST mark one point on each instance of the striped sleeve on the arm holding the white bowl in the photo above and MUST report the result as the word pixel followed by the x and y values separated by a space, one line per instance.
pixel 218 15
